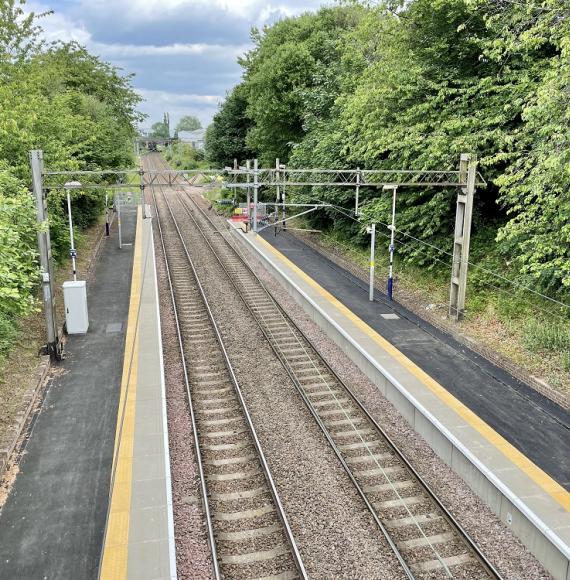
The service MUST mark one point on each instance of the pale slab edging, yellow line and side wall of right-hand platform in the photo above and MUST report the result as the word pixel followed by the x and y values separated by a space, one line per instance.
pixel 522 495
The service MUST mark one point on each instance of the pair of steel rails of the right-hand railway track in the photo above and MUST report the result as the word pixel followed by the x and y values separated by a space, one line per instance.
pixel 470 544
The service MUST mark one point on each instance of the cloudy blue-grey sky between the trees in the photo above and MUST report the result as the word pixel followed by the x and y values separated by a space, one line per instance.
pixel 183 52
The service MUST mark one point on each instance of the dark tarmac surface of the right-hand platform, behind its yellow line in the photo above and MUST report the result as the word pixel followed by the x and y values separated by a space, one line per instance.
pixel 535 425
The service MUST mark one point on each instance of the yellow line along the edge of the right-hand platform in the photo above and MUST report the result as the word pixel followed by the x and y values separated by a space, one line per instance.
pixel 542 479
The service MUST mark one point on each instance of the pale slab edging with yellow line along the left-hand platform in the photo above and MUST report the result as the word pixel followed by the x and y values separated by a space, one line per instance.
pixel 139 538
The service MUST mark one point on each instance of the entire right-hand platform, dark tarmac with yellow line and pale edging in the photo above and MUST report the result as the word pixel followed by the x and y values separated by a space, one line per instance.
pixel 509 443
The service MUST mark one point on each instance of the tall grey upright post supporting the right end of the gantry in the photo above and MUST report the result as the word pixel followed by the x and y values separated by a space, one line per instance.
pixel 462 236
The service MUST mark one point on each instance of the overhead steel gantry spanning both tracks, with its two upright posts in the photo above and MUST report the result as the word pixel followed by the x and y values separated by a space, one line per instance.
pixel 252 178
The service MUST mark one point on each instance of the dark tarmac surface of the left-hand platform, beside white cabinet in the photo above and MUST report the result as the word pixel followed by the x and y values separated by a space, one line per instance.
pixel 53 521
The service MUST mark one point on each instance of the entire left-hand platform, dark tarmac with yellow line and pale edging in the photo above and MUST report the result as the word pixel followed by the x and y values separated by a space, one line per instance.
pixel 100 427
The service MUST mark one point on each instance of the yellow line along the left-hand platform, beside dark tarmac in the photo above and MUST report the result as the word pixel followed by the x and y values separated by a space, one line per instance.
pixel 115 551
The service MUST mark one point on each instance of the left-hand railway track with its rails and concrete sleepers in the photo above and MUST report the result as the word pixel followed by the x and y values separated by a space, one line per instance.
pixel 248 531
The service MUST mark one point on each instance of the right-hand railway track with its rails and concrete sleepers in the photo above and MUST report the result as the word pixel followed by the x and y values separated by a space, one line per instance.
pixel 424 536
